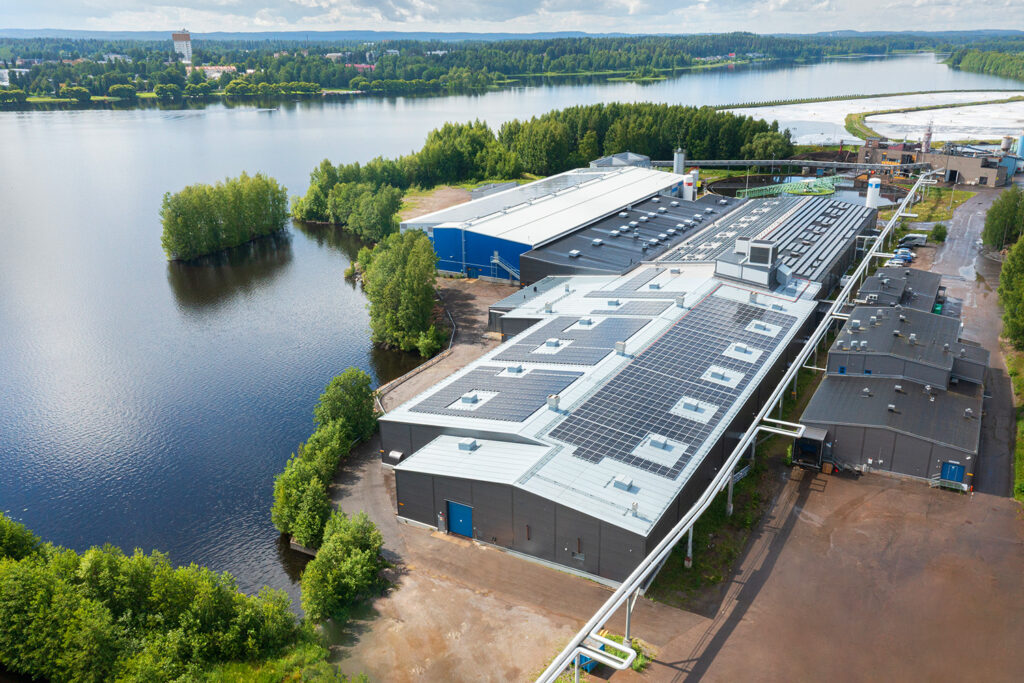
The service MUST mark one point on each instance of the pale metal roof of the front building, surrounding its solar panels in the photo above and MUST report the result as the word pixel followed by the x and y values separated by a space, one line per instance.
pixel 537 459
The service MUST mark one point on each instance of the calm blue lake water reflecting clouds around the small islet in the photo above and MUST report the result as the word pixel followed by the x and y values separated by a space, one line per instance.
pixel 147 404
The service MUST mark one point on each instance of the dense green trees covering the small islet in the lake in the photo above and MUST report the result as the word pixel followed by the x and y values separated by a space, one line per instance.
pixel 202 220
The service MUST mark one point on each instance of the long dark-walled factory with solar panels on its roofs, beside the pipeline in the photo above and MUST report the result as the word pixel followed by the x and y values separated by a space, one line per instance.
pixel 583 439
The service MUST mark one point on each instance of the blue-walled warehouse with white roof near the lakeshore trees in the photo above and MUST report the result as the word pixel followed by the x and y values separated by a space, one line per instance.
pixel 487 237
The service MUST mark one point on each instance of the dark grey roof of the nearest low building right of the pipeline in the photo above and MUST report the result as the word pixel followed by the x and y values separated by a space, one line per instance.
pixel 940 418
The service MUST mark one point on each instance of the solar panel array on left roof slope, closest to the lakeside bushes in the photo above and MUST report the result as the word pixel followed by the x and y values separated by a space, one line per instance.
pixel 519 398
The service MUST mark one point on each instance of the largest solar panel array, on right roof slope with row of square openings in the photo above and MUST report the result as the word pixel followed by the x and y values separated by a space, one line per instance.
pixel 638 401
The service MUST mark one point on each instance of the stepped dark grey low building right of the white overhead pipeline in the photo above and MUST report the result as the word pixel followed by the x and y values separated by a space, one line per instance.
pixel 903 392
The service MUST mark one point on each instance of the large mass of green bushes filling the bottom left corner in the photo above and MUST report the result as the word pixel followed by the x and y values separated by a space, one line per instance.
pixel 106 616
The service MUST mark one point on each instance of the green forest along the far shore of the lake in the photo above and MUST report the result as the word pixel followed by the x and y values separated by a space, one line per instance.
pixel 430 66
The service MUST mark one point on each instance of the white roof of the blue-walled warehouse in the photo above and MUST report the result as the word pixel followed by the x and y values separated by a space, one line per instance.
pixel 545 210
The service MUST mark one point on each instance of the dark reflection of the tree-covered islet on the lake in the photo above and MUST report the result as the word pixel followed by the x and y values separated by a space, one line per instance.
pixel 214 279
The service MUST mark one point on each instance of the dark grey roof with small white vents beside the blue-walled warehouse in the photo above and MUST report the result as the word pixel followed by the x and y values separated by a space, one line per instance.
pixel 667 222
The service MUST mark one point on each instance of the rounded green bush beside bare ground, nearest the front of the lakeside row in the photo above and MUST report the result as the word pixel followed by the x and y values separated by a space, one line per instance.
pixel 346 569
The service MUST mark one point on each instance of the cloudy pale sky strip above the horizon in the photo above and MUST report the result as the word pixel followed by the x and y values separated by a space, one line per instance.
pixel 517 16
